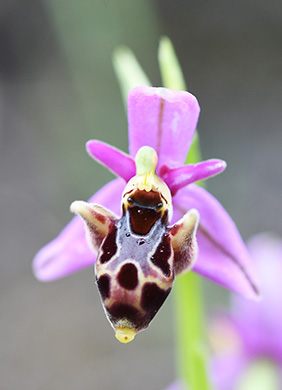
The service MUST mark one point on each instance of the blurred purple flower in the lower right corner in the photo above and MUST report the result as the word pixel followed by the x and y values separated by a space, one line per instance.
pixel 248 342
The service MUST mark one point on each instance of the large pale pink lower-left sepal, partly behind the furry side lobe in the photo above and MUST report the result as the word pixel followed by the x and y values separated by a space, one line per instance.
pixel 69 252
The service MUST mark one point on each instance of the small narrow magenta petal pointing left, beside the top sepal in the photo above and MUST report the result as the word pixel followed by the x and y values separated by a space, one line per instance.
pixel 115 160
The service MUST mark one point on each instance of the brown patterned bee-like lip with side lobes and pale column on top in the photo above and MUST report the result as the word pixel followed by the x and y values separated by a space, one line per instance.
pixel 139 254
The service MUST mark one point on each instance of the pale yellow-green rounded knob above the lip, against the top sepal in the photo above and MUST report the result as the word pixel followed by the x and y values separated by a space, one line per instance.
pixel 146 161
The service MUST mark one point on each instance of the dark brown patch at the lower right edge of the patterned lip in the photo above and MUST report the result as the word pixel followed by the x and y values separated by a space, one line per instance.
pixel 153 297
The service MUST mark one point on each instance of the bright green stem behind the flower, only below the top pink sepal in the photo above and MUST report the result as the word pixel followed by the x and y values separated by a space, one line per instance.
pixel 190 319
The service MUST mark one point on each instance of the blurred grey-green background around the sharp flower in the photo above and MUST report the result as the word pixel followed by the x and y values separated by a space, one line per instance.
pixel 57 90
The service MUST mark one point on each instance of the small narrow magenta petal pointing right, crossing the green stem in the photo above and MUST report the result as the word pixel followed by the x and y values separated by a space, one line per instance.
pixel 178 178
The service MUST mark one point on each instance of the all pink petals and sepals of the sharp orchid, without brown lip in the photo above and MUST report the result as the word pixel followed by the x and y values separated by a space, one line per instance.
pixel 165 120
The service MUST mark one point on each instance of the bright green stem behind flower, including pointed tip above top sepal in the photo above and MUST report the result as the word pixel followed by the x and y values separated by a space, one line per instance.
pixel 190 317
